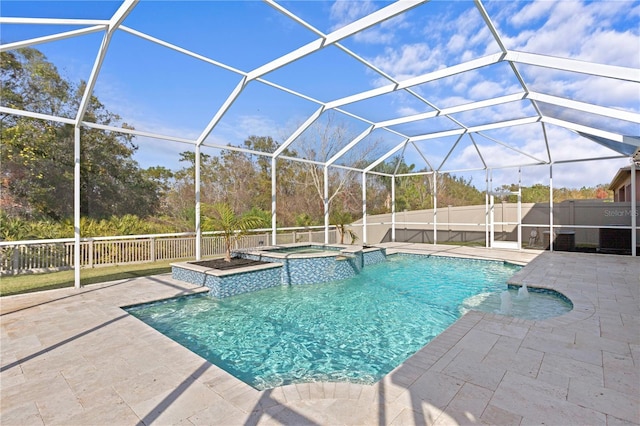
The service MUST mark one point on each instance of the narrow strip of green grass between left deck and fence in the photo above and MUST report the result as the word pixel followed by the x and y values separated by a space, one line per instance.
pixel 36 282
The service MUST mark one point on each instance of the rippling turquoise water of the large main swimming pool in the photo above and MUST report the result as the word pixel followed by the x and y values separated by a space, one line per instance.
pixel 354 330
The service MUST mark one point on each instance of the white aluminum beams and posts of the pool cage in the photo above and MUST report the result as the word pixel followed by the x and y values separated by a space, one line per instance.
pixel 513 58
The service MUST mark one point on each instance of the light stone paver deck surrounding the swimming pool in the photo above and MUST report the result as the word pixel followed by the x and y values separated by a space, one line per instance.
pixel 73 357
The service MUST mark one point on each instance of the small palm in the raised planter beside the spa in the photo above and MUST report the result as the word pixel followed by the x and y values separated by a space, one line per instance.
pixel 221 217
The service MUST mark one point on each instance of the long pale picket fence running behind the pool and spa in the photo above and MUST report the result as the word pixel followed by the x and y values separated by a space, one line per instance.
pixel 38 256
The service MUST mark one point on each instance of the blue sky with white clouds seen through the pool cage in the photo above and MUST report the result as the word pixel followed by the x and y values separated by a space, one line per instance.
pixel 162 91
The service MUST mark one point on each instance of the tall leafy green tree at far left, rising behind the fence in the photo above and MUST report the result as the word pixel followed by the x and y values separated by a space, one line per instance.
pixel 37 156
